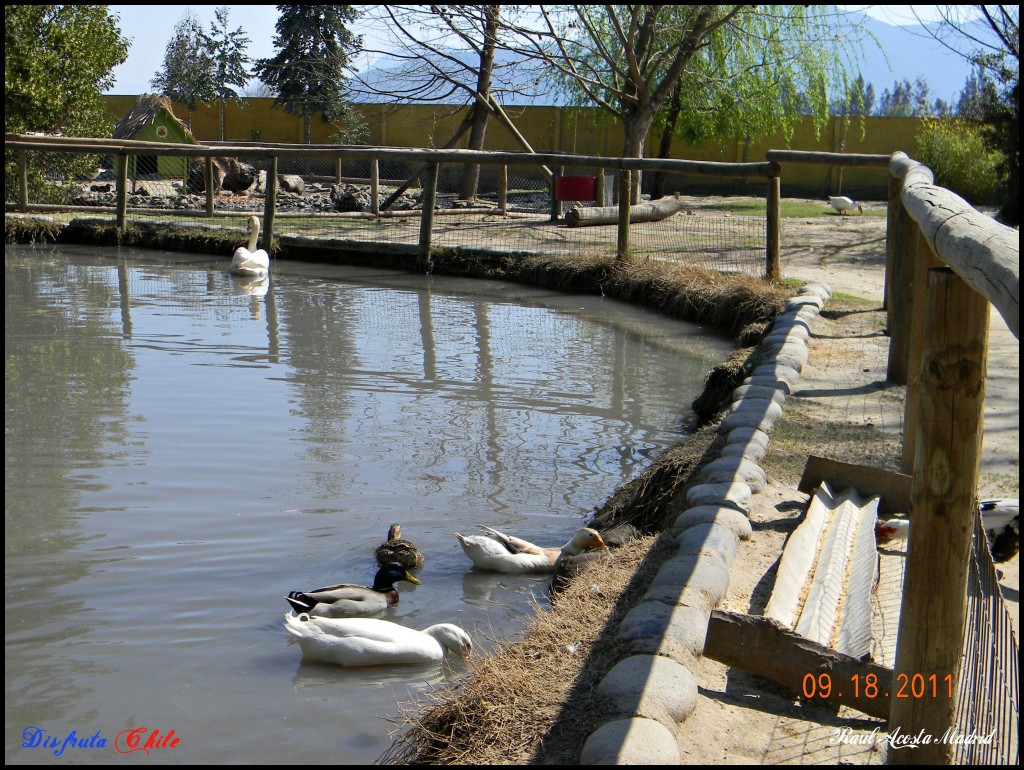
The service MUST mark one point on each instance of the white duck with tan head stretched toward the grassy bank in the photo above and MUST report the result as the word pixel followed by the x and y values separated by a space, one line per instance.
pixel 498 552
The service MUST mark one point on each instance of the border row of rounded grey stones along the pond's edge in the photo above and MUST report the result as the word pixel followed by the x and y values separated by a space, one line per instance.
pixel 653 691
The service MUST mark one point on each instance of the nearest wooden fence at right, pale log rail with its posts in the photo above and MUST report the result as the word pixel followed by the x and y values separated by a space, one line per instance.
pixel 948 263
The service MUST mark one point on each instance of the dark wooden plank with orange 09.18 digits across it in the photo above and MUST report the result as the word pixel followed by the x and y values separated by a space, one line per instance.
pixel 764 648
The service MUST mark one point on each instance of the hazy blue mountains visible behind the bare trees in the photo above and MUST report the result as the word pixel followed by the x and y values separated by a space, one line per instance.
pixel 902 53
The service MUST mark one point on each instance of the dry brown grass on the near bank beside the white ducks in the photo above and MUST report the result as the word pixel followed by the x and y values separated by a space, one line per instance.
pixel 533 702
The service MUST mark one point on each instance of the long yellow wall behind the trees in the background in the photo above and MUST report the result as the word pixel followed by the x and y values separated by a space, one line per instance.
pixel 584 132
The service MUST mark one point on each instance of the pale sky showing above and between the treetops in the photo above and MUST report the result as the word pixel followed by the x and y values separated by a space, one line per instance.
pixel 150 28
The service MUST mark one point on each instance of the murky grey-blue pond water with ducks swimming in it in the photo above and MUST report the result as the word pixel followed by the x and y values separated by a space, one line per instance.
pixel 183 449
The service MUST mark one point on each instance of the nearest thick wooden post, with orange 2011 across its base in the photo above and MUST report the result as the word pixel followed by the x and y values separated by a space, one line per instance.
pixel 945 504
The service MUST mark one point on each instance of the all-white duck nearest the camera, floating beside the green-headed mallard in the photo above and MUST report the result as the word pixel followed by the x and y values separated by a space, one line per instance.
pixel 365 641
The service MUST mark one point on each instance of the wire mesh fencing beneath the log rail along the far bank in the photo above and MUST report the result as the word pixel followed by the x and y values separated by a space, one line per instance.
pixel 490 202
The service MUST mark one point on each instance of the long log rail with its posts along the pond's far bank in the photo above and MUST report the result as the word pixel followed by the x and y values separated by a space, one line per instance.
pixel 430 160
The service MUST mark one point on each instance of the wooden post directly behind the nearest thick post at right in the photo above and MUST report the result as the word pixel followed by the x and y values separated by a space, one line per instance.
pixel 919 262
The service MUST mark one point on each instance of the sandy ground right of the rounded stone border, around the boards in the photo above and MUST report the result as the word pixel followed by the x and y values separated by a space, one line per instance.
pixel 742 719
